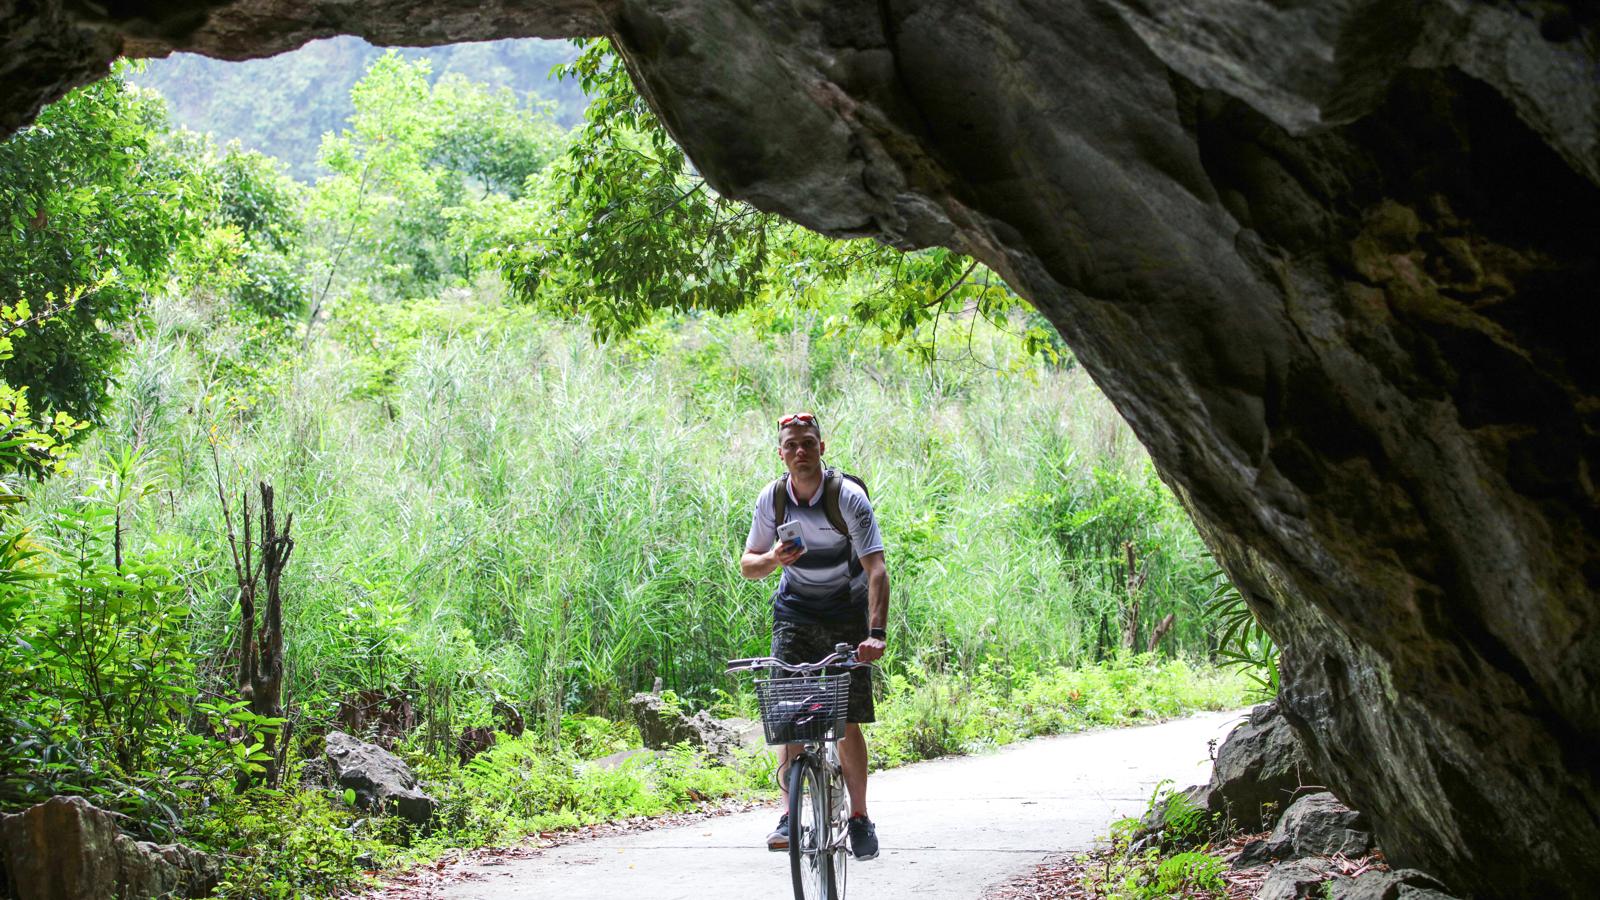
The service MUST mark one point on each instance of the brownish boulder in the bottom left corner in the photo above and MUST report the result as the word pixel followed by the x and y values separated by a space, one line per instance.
pixel 70 850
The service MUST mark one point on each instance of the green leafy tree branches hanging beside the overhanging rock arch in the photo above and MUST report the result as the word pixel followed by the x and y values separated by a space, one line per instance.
pixel 623 228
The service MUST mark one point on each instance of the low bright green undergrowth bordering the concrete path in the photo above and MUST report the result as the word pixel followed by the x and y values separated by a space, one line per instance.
pixel 310 842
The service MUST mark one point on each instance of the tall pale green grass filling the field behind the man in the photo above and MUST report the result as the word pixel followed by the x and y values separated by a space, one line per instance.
pixel 487 504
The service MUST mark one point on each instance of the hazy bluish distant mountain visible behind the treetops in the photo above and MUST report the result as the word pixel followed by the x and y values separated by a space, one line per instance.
pixel 284 105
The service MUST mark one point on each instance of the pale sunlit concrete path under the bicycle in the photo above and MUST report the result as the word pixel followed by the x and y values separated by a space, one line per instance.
pixel 950 829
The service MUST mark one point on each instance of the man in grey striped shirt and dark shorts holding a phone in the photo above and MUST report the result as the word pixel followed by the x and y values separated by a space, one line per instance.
pixel 834 589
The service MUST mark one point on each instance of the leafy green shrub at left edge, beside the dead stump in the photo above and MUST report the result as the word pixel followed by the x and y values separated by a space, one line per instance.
pixel 102 680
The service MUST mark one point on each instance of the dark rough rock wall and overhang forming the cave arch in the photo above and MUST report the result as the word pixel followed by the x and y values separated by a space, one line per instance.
pixel 1335 262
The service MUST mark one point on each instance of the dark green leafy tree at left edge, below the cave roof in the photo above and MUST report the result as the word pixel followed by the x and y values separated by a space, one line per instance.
pixel 97 211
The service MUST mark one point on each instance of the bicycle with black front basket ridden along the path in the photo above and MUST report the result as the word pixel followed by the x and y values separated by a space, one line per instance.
pixel 809 709
